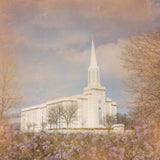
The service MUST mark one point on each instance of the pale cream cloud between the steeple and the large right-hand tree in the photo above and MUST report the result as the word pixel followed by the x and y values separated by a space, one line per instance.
pixel 110 59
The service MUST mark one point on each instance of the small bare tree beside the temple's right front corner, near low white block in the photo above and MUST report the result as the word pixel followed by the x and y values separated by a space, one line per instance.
pixel 109 120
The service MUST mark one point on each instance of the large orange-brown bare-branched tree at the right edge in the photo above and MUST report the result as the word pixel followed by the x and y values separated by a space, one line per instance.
pixel 141 58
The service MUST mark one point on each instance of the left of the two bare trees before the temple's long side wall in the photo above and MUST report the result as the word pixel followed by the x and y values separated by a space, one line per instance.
pixel 55 115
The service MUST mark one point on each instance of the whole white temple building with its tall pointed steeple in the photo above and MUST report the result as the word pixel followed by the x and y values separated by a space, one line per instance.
pixel 92 104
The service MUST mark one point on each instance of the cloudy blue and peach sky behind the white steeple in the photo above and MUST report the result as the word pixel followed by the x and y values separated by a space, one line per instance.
pixel 50 40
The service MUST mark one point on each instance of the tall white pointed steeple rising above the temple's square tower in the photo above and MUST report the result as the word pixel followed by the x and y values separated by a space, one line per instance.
pixel 93 70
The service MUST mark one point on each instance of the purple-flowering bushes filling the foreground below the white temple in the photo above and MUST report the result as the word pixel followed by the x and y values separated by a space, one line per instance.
pixel 88 146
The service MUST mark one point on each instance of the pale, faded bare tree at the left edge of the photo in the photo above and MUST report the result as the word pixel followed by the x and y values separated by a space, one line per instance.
pixel 9 96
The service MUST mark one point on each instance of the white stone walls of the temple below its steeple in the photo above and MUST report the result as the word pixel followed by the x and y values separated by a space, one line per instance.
pixel 87 112
